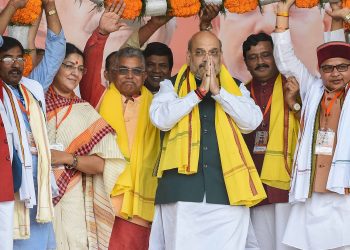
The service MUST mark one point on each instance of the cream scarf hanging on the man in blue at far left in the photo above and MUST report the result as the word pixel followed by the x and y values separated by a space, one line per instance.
pixel 45 209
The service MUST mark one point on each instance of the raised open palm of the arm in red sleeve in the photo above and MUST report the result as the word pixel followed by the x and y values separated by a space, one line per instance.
pixel 110 18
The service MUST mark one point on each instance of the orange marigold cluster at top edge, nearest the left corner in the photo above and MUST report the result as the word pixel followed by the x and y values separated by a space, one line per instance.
pixel 28 14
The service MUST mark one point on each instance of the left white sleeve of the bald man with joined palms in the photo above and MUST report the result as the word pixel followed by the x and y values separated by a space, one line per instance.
pixel 167 108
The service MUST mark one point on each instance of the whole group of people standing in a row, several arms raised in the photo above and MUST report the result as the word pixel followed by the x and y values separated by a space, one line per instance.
pixel 156 159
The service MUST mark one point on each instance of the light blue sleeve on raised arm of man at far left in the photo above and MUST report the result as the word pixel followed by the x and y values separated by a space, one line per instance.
pixel 54 55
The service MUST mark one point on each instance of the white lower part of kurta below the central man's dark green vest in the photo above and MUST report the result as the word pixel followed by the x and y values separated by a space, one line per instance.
pixel 199 226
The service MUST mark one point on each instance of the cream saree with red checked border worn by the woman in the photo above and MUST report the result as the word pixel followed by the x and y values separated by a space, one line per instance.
pixel 83 132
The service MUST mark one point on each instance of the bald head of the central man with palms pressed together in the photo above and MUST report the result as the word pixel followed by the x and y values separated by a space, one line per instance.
pixel 201 46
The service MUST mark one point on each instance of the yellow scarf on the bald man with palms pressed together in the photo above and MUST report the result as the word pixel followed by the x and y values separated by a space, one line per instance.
pixel 181 146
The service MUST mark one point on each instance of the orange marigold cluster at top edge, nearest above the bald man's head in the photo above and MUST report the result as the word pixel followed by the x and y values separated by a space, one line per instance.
pixel 184 8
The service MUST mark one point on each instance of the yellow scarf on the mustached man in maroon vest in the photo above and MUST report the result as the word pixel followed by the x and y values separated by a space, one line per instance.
pixel 279 153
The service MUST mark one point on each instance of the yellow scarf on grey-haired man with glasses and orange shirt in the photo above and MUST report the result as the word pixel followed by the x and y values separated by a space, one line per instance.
pixel 136 182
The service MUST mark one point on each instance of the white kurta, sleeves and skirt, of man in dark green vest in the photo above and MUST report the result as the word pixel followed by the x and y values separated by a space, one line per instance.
pixel 190 225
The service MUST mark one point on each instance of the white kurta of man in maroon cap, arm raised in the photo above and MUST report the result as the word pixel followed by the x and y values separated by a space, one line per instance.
pixel 322 221
